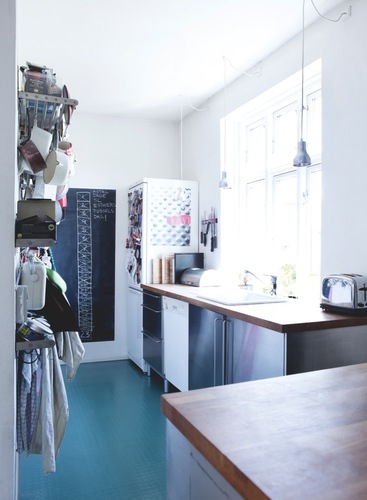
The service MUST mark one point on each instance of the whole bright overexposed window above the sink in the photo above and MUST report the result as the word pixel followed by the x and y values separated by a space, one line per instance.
pixel 279 225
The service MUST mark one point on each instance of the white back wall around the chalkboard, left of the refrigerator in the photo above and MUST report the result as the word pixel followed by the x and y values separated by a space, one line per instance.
pixel 114 153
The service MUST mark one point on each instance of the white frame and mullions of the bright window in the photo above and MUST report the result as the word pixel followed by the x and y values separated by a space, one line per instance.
pixel 284 96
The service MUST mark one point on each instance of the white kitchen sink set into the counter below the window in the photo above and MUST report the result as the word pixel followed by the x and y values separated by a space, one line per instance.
pixel 238 296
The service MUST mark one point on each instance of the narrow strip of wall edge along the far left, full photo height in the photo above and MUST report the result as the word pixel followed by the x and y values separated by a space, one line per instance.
pixel 8 487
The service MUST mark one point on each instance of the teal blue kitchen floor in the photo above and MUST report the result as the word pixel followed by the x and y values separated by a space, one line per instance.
pixel 114 445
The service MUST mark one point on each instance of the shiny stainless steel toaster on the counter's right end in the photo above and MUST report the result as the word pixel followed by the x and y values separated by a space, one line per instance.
pixel 346 293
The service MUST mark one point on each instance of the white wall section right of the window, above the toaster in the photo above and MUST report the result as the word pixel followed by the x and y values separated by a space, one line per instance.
pixel 344 237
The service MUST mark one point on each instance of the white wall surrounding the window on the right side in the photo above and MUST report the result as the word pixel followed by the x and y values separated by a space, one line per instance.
pixel 343 49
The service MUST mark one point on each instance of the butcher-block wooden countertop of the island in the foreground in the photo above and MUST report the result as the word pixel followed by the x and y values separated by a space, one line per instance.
pixel 295 437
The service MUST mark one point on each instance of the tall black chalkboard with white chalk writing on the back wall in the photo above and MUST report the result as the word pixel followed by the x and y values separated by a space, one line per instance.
pixel 84 255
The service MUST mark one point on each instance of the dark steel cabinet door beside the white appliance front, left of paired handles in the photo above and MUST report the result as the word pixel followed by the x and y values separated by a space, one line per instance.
pixel 206 349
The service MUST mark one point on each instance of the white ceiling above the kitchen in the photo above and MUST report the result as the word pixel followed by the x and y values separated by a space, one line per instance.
pixel 146 58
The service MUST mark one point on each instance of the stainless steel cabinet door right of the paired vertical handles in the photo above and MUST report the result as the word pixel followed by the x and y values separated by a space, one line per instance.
pixel 253 352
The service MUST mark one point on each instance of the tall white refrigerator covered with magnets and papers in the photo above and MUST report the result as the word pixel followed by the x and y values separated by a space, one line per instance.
pixel 162 220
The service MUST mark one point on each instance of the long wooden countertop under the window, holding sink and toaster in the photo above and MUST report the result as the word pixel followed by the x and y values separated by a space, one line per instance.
pixel 284 317
